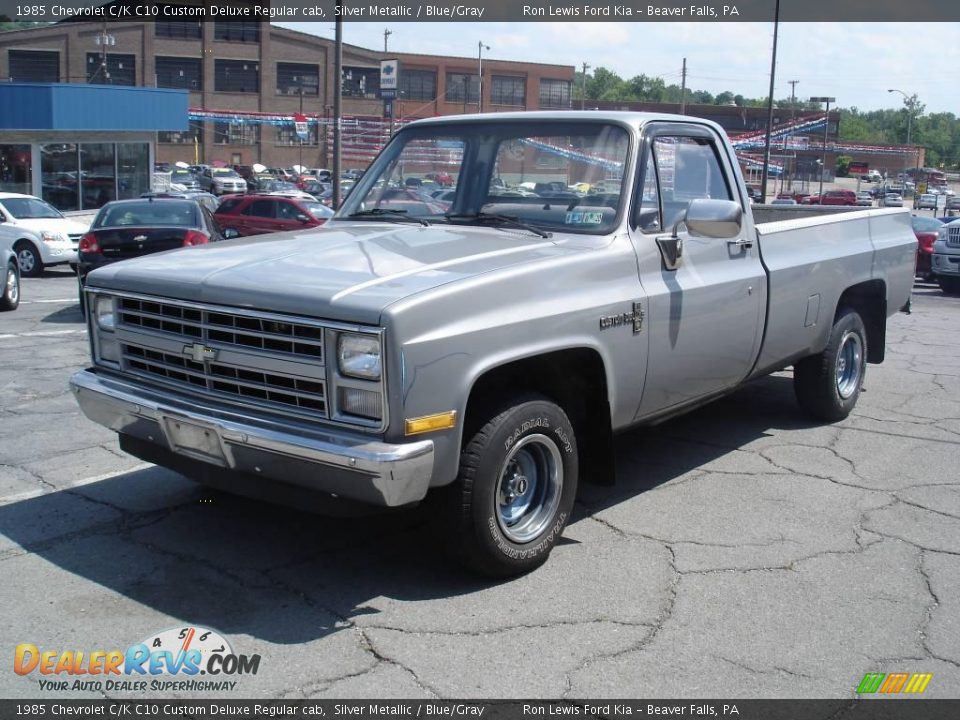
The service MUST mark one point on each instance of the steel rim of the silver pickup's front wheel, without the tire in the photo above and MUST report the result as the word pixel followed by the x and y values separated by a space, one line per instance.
pixel 529 486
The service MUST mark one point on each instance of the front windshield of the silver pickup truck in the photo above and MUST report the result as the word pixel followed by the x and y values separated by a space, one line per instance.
pixel 556 176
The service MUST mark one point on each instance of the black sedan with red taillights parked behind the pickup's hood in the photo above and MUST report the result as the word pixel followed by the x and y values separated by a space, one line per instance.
pixel 131 228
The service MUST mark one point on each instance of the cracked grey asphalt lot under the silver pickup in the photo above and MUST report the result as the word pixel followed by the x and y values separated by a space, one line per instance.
pixel 743 552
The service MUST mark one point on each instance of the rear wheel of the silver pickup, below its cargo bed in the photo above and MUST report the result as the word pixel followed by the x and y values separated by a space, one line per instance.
pixel 827 385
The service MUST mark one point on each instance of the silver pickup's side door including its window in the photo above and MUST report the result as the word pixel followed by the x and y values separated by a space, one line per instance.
pixel 706 295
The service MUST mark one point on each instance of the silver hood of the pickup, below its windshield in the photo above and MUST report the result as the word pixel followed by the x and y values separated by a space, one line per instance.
pixel 348 271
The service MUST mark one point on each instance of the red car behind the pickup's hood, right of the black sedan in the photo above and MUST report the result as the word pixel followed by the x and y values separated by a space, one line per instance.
pixel 259 214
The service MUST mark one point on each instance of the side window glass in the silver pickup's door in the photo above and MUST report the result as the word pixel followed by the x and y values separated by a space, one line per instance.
pixel 688 169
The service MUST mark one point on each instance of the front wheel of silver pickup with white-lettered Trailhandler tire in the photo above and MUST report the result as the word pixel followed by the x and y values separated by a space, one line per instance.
pixel 515 490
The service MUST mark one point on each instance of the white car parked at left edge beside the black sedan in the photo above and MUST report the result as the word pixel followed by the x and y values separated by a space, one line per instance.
pixel 40 234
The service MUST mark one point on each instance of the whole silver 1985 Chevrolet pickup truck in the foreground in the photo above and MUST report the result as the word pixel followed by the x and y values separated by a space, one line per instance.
pixel 486 350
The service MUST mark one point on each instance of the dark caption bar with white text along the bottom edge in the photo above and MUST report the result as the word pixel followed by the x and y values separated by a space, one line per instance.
pixel 871 709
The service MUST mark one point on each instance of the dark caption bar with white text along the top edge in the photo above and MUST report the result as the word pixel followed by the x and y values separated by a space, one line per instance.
pixel 486 10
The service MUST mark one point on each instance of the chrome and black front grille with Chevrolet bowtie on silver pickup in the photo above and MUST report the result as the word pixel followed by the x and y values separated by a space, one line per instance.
pixel 253 358
